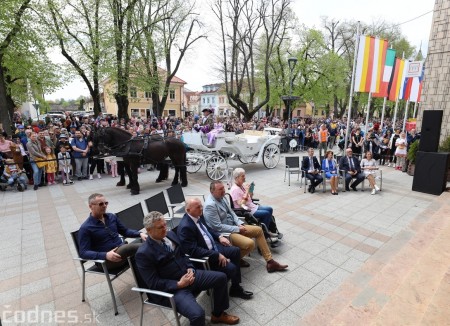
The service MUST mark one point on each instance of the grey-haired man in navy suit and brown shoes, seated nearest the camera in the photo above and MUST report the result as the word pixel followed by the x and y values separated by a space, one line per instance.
pixel 163 266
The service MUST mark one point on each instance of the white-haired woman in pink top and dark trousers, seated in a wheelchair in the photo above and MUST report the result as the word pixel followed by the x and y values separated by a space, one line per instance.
pixel 242 197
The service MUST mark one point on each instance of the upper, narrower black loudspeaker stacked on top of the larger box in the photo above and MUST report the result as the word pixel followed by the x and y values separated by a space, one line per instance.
pixel 431 130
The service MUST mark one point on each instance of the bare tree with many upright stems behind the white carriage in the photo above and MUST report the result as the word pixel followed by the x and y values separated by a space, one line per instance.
pixel 249 29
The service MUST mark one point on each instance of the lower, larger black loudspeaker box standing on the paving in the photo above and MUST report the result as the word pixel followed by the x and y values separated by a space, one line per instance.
pixel 430 174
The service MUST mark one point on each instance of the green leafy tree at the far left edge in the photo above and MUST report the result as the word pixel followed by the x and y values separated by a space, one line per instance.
pixel 25 69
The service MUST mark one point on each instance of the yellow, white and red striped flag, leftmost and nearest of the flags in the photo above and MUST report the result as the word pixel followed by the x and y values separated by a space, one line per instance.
pixel 370 64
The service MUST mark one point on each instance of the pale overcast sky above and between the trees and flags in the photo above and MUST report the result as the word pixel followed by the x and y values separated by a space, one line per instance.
pixel 199 66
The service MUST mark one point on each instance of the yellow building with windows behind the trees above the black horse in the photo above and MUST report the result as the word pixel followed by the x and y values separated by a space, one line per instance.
pixel 141 102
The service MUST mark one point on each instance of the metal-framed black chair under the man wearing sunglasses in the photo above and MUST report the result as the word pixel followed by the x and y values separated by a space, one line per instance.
pixel 98 267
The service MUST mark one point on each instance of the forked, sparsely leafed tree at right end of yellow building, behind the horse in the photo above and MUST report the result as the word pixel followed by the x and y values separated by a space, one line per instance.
pixel 164 31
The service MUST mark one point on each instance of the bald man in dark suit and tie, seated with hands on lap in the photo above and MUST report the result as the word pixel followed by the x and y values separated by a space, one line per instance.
pixel 198 241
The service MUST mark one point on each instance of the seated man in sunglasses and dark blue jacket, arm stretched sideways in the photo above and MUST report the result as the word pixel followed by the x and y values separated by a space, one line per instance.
pixel 98 237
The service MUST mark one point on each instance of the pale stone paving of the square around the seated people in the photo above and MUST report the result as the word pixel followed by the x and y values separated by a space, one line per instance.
pixel 353 259
